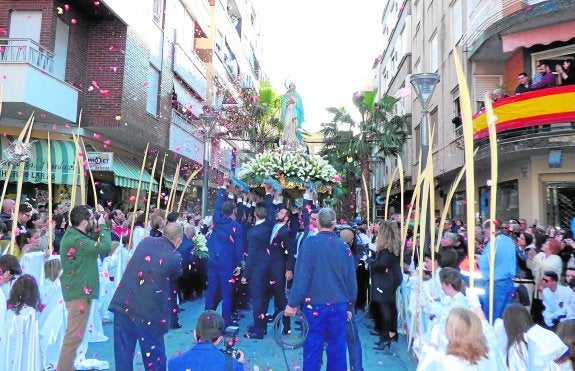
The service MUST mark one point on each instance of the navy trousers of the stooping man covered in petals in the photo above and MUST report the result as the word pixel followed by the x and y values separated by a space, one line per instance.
pixel 127 333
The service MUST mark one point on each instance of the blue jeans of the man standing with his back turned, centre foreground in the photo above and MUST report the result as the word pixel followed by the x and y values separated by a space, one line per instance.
pixel 327 323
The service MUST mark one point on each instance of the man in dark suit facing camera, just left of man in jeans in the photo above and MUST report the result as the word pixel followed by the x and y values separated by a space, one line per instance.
pixel 282 261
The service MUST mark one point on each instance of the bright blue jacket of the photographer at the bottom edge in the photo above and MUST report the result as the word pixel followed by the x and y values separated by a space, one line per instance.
pixel 203 356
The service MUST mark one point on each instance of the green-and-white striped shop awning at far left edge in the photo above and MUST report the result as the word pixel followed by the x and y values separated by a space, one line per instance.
pixel 36 170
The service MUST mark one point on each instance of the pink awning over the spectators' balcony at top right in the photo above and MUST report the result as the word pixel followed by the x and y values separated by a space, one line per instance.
pixel 544 36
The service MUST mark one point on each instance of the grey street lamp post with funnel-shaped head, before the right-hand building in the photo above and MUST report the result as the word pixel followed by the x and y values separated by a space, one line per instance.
pixel 424 84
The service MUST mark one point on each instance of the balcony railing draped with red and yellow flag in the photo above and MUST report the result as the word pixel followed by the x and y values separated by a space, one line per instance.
pixel 551 106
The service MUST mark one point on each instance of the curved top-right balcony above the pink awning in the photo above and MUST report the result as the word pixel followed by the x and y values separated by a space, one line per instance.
pixel 494 21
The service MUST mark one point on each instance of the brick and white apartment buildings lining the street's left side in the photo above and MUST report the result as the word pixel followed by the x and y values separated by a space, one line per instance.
pixel 122 74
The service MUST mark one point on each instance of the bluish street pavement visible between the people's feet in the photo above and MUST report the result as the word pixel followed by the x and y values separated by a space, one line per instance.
pixel 261 355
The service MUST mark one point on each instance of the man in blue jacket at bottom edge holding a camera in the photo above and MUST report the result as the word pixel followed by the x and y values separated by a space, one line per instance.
pixel 205 355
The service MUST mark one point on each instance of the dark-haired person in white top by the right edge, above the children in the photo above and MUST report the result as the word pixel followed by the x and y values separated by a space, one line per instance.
pixel 555 299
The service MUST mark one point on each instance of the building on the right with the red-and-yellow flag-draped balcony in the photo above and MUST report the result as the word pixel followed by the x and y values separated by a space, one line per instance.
pixel 496 40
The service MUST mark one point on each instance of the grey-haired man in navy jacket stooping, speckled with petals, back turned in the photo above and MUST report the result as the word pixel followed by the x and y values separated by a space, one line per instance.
pixel 141 304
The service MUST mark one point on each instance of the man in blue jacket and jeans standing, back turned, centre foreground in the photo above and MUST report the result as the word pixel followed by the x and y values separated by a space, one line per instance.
pixel 325 285
